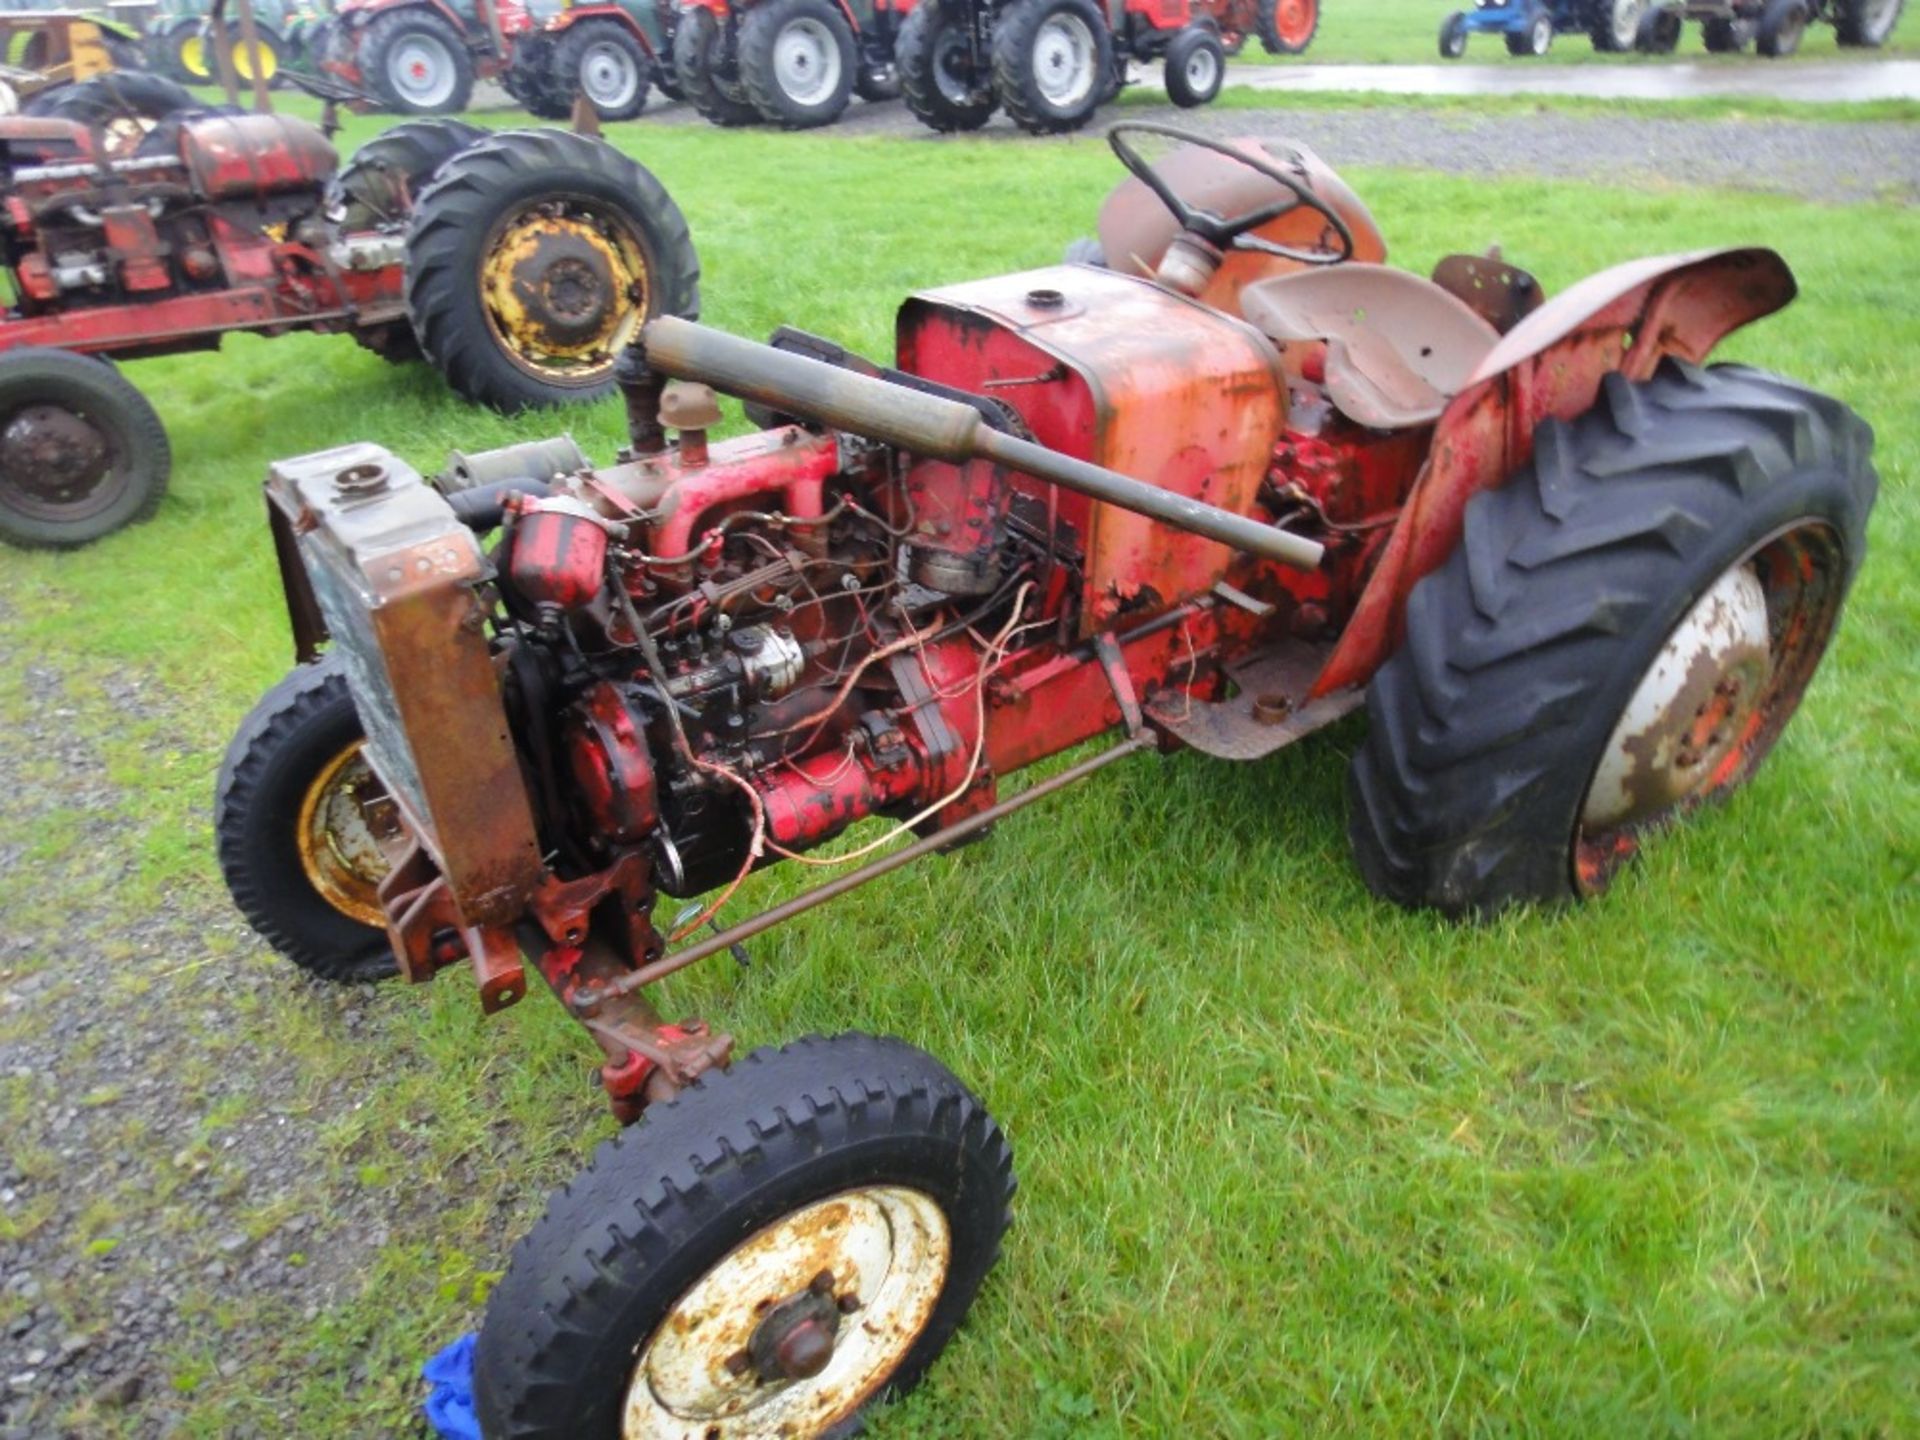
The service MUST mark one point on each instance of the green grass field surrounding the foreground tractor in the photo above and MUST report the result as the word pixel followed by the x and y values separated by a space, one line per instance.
pixel 1291 1161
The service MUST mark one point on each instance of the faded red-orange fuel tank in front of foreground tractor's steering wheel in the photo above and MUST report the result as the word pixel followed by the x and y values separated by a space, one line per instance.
pixel 1118 372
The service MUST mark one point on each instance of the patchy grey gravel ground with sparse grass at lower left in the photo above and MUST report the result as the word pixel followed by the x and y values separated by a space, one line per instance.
pixel 130 1212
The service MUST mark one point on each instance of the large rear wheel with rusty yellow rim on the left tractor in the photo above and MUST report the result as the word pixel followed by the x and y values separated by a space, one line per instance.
pixel 535 258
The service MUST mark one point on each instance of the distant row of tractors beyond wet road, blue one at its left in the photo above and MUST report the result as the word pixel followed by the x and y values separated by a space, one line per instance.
pixel 1656 26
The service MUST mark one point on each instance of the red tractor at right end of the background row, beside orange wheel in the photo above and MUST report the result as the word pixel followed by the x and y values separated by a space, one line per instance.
pixel 1051 64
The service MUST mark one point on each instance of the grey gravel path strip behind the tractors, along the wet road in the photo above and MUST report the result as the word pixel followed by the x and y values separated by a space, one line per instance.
pixel 1815 160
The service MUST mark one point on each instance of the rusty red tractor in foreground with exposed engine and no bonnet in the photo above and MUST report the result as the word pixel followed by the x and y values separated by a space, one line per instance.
pixel 1216 498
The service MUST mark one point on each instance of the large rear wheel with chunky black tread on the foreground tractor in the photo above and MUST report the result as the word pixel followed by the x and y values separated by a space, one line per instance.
pixel 1620 638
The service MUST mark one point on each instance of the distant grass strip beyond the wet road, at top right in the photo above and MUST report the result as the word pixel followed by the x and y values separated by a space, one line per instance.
pixel 1406 32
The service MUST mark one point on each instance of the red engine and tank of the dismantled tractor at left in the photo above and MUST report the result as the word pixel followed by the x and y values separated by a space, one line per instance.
pixel 204 204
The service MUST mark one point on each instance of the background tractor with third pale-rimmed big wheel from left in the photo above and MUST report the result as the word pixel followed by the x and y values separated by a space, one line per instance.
pixel 786 62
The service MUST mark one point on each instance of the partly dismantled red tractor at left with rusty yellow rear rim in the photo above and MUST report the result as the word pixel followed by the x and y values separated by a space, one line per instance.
pixel 519 264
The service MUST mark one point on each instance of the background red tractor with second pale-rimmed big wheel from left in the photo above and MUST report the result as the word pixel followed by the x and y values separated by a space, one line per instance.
pixel 608 53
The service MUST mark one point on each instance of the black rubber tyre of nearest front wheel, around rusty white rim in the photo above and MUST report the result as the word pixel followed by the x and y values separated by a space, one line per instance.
pixel 725 1163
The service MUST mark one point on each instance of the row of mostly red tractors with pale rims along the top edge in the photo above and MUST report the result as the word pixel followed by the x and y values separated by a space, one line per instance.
pixel 800 62
